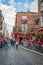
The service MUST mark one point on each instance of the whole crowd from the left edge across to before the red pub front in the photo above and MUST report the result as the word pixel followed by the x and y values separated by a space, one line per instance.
pixel 15 42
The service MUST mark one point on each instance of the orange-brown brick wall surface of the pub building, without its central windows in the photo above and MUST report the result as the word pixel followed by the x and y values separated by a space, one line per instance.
pixel 31 23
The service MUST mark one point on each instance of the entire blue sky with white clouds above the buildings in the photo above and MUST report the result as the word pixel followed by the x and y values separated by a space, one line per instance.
pixel 11 7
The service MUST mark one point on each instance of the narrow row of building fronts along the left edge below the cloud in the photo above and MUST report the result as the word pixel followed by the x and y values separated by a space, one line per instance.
pixel 2 24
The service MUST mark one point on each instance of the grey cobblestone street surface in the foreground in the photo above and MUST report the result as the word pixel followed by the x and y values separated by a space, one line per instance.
pixel 11 56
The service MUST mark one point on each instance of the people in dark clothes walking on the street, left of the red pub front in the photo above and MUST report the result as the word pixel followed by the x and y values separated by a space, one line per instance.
pixel 9 42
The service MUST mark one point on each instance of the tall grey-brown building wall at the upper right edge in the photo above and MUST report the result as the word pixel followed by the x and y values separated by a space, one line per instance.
pixel 40 9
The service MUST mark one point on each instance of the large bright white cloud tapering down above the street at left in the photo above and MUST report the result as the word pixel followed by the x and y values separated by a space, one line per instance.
pixel 9 15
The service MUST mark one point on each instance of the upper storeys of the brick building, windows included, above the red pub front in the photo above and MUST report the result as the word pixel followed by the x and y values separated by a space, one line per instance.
pixel 26 21
